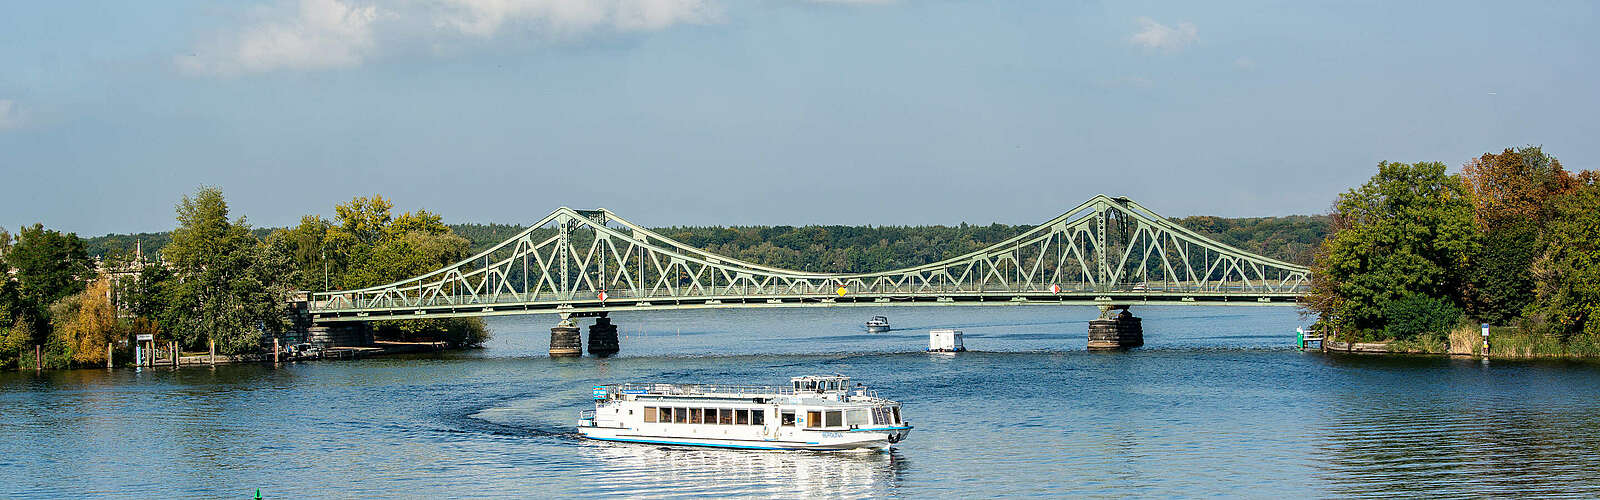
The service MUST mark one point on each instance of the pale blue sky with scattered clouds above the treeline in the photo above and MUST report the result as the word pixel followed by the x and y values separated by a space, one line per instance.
pixel 766 111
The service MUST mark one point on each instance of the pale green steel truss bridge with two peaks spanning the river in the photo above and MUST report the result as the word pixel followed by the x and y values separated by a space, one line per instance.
pixel 1108 251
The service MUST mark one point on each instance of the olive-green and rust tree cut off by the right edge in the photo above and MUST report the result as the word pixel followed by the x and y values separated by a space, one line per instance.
pixel 1569 273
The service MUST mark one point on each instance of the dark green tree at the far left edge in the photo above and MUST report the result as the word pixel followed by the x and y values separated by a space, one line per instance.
pixel 49 267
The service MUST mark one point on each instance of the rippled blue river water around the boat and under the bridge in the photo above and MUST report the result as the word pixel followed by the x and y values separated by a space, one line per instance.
pixel 1217 405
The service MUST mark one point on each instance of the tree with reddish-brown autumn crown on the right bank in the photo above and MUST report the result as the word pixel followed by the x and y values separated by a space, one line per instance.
pixel 1513 196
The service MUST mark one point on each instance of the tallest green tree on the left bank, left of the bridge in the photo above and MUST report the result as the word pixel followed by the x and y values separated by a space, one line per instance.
pixel 223 291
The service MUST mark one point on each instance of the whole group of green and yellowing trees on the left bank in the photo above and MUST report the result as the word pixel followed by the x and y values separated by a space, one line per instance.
pixel 214 281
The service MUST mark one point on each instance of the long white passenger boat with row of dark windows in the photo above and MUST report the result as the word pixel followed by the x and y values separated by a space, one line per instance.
pixel 812 414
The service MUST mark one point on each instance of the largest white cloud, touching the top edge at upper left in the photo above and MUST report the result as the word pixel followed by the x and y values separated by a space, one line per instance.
pixel 330 34
